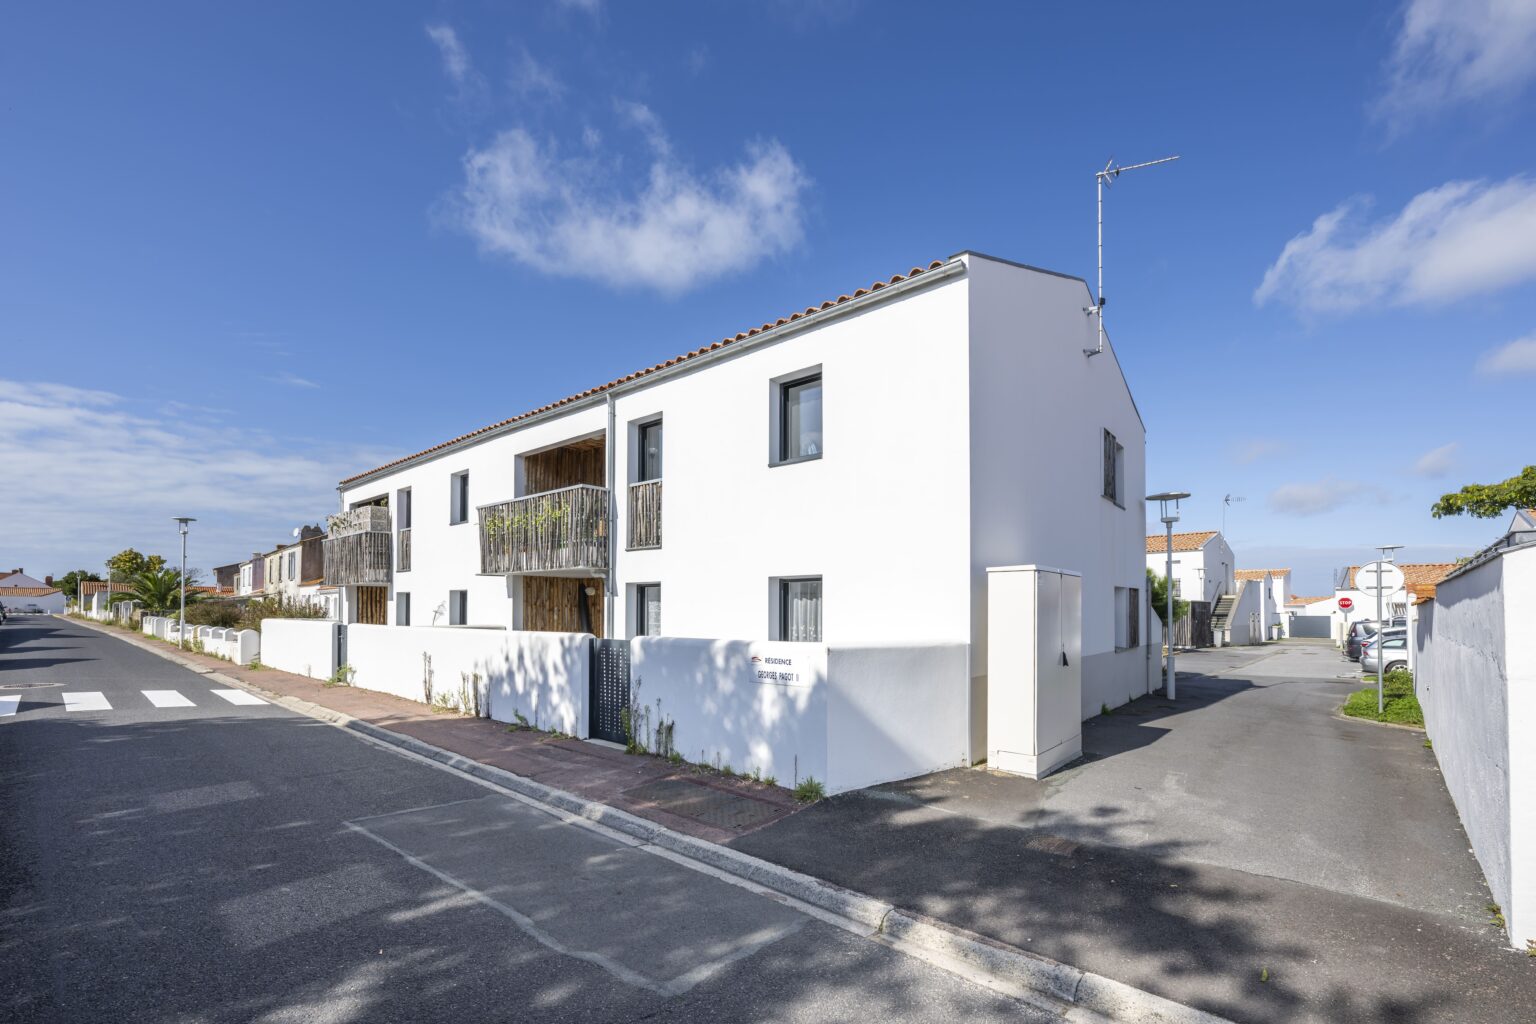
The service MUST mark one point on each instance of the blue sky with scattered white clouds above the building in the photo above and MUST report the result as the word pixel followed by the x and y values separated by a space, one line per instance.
pixel 245 253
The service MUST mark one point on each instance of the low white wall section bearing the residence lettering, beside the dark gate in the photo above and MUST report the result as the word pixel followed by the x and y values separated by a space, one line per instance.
pixel 747 704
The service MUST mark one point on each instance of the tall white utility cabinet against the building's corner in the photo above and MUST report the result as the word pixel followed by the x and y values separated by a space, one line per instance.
pixel 1034 669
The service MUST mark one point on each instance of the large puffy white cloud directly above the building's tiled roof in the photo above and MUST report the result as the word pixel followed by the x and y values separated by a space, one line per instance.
pixel 589 217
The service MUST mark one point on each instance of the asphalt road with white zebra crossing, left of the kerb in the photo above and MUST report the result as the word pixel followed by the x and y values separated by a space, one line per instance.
pixel 173 854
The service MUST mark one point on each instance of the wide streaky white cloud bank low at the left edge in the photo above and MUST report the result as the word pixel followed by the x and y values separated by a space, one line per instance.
pixel 90 474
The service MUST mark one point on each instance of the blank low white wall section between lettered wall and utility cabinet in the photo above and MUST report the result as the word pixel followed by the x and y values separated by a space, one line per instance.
pixel 896 712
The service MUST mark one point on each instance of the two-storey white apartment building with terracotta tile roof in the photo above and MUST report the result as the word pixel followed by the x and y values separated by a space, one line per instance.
pixel 844 475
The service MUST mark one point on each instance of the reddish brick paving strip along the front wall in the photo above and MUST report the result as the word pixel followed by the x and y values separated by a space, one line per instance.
pixel 695 802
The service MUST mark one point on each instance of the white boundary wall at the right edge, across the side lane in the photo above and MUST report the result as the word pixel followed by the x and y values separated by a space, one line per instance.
pixel 1477 679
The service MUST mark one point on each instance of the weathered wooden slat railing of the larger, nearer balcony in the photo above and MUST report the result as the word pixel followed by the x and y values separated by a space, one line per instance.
pixel 555 532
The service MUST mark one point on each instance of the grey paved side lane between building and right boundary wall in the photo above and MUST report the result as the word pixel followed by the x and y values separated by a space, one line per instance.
pixel 1240 850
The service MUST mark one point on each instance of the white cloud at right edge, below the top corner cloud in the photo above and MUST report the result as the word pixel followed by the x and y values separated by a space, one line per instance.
pixel 1449 243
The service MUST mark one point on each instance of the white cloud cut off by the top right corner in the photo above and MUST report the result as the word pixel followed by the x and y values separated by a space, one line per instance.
pixel 1454 51
